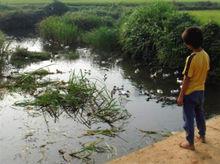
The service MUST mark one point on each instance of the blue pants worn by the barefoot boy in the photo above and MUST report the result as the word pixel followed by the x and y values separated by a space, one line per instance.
pixel 193 109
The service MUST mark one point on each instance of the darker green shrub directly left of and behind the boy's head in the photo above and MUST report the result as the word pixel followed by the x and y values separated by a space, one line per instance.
pixel 171 51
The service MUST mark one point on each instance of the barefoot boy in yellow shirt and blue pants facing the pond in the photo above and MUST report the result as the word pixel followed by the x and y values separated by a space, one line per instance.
pixel 192 93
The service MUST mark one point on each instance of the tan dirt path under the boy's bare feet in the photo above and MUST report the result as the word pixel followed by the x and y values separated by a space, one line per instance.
pixel 168 150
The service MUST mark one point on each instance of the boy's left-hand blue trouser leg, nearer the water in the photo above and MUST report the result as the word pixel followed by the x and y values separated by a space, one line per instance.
pixel 188 113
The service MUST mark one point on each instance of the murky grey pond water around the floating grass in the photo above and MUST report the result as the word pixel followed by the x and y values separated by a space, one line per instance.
pixel 28 136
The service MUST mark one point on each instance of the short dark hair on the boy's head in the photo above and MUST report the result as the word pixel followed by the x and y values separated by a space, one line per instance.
pixel 193 36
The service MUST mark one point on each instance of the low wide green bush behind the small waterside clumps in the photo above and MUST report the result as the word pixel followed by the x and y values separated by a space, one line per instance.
pixel 86 21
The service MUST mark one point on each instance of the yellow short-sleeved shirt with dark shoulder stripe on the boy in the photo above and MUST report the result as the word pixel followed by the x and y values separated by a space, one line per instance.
pixel 196 68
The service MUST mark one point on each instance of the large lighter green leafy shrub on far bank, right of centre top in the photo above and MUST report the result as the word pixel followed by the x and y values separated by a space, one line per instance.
pixel 138 31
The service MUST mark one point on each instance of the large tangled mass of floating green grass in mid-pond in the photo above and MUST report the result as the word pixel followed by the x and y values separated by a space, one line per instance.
pixel 79 98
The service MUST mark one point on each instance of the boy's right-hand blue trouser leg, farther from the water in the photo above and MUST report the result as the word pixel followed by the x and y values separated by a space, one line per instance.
pixel 200 117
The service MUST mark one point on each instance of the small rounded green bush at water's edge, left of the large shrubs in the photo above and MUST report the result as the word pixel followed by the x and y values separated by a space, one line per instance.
pixel 103 38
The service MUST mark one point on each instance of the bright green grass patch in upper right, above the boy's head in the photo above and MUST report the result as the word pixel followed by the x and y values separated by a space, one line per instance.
pixel 205 16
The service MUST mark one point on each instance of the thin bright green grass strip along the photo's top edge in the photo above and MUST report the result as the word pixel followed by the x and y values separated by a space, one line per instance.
pixel 92 1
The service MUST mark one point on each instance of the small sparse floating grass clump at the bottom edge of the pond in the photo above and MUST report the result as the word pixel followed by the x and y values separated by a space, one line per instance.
pixel 87 150
